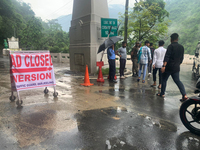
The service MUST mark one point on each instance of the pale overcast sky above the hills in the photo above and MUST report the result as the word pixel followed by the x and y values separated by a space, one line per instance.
pixel 51 9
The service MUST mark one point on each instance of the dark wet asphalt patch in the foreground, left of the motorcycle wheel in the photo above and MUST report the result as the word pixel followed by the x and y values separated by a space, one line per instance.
pixel 133 130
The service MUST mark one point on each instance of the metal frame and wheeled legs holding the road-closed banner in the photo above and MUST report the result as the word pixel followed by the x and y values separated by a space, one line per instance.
pixel 19 102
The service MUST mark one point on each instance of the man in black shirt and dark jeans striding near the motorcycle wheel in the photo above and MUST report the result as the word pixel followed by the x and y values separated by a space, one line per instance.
pixel 171 66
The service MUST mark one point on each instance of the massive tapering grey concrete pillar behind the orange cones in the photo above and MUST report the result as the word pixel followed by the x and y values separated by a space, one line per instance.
pixel 85 33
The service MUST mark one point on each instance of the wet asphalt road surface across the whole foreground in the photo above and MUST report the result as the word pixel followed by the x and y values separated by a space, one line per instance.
pixel 127 115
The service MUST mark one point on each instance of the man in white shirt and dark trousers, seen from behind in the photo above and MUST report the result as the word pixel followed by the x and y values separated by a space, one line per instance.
pixel 158 58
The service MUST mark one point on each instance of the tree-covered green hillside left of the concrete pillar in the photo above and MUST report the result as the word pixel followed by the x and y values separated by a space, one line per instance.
pixel 17 19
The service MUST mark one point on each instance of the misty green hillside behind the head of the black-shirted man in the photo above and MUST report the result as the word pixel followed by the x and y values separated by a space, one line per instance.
pixel 185 20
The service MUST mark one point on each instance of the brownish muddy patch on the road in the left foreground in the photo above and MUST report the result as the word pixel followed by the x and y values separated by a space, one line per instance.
pixel 34 128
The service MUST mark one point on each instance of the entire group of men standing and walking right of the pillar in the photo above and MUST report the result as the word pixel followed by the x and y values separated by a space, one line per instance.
pixel 165 61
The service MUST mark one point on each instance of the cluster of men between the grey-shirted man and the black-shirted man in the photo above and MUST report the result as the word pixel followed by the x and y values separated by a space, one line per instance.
pixel 148 57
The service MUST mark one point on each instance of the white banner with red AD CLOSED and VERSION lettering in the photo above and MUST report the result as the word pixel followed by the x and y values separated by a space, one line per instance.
pixel 30 70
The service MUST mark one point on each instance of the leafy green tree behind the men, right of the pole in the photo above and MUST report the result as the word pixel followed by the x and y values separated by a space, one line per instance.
pixel 147 20
